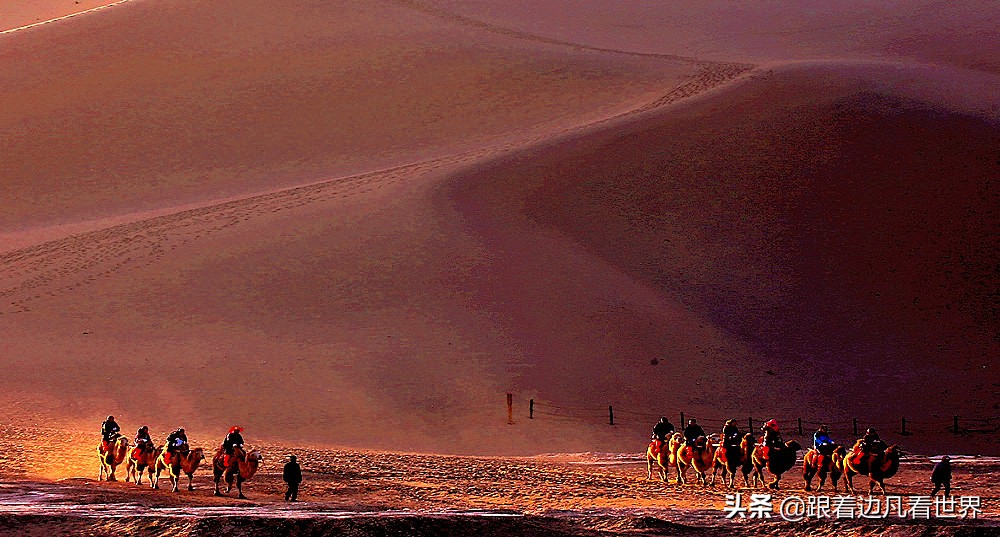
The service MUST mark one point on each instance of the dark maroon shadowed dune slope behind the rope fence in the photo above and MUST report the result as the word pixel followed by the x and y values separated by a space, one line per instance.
pixel 833 229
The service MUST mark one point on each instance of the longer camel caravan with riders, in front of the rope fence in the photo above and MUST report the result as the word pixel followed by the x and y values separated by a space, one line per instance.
pixel 732 453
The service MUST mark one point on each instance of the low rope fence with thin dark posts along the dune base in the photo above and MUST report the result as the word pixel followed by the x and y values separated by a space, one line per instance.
pixel 960 425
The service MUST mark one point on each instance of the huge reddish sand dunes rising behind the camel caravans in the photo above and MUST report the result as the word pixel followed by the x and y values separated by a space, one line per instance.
pixel 359 225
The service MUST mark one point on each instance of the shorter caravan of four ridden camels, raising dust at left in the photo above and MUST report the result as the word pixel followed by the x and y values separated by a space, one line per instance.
pixel 231 462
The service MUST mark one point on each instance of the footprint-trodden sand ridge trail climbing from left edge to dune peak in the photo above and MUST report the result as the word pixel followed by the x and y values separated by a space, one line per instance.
pixel 34 272
